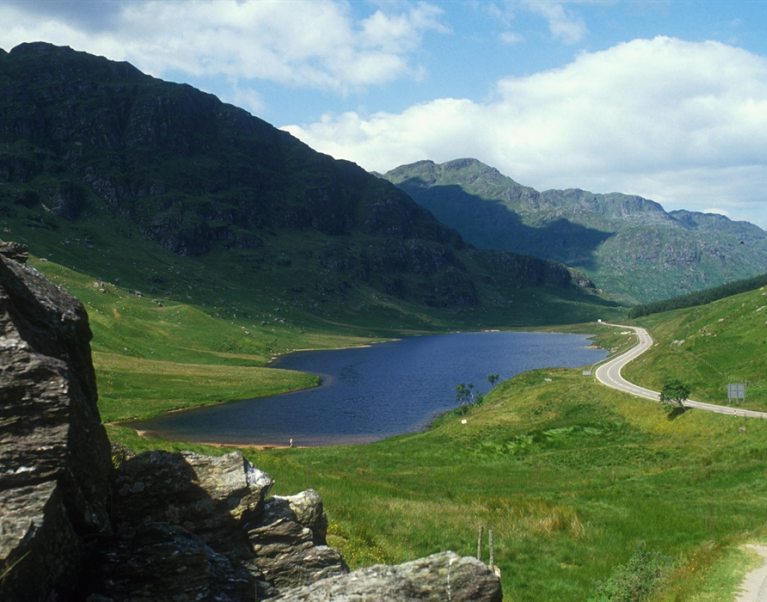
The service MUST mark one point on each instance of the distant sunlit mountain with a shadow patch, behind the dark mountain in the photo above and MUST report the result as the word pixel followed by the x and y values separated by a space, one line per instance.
pixel 629 246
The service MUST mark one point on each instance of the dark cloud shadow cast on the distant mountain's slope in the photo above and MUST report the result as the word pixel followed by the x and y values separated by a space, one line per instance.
pixel 489 224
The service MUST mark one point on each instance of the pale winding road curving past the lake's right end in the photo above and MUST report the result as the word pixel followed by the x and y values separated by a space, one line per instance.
pixel 609 374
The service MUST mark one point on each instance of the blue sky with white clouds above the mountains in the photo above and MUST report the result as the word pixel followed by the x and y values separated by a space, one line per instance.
pixel 666 99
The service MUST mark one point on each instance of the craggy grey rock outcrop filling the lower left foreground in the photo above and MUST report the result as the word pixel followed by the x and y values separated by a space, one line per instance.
pixel 162 526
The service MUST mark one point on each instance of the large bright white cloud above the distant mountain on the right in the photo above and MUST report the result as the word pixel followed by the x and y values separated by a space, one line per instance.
pixel 684 123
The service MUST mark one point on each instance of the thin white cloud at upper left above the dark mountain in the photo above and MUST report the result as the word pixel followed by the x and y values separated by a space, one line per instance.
pixel 309 43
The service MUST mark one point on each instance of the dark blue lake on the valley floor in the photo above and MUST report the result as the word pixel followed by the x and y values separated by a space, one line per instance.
pixel 373 392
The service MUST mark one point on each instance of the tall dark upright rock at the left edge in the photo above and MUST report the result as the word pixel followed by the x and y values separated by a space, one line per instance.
pixel 54 454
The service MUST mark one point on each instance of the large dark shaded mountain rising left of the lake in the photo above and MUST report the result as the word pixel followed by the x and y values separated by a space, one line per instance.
pixel 110 171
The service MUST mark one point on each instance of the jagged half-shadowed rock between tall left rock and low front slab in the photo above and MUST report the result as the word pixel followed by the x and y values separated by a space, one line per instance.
pixel 193 527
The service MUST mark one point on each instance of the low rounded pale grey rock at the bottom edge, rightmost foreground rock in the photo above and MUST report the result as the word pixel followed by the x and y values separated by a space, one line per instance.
pixel 436 578
